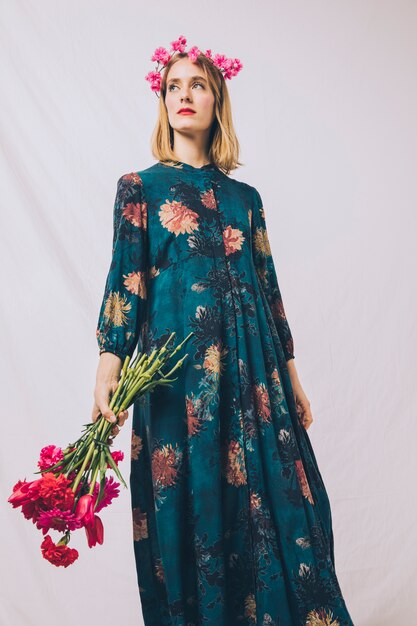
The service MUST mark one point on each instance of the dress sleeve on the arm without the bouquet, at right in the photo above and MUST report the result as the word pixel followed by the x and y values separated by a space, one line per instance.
pixel 265 269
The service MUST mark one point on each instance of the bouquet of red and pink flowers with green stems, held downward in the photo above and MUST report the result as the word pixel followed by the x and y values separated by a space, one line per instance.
pixel 74 485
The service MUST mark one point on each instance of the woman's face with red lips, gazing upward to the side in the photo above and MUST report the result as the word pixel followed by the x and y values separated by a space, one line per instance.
pixel 188 88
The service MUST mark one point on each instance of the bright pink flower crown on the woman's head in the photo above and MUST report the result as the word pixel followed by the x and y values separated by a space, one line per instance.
pixel 229 67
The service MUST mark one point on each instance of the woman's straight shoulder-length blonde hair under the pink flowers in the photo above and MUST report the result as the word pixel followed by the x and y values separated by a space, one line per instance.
pixel 223 142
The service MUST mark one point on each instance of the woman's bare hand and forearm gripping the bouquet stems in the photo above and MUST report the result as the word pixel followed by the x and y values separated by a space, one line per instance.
pixel 108 374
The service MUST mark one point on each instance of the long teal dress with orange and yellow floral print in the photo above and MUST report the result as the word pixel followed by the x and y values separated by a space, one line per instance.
pixel 231 519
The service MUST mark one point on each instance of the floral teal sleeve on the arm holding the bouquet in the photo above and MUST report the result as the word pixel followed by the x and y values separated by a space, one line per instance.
pixel 125 290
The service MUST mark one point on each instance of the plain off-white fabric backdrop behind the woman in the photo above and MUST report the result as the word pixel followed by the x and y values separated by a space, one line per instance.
pixel 325 110
